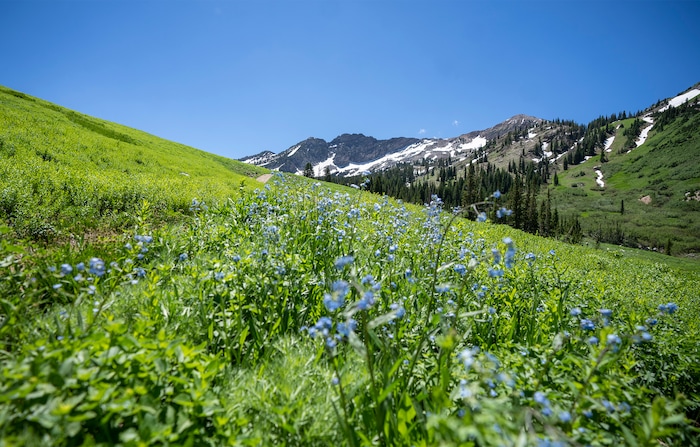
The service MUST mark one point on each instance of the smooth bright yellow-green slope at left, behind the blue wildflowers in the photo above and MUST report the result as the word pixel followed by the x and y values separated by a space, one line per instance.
pixel 65 173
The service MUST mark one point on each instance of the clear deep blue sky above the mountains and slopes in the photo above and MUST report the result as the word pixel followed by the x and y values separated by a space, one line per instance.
pixel 235 77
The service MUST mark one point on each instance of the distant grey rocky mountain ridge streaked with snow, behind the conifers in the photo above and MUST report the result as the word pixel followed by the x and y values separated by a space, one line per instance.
pixel 351 154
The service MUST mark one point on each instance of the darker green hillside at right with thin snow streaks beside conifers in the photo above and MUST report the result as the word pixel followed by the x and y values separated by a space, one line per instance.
pixel 664 171
